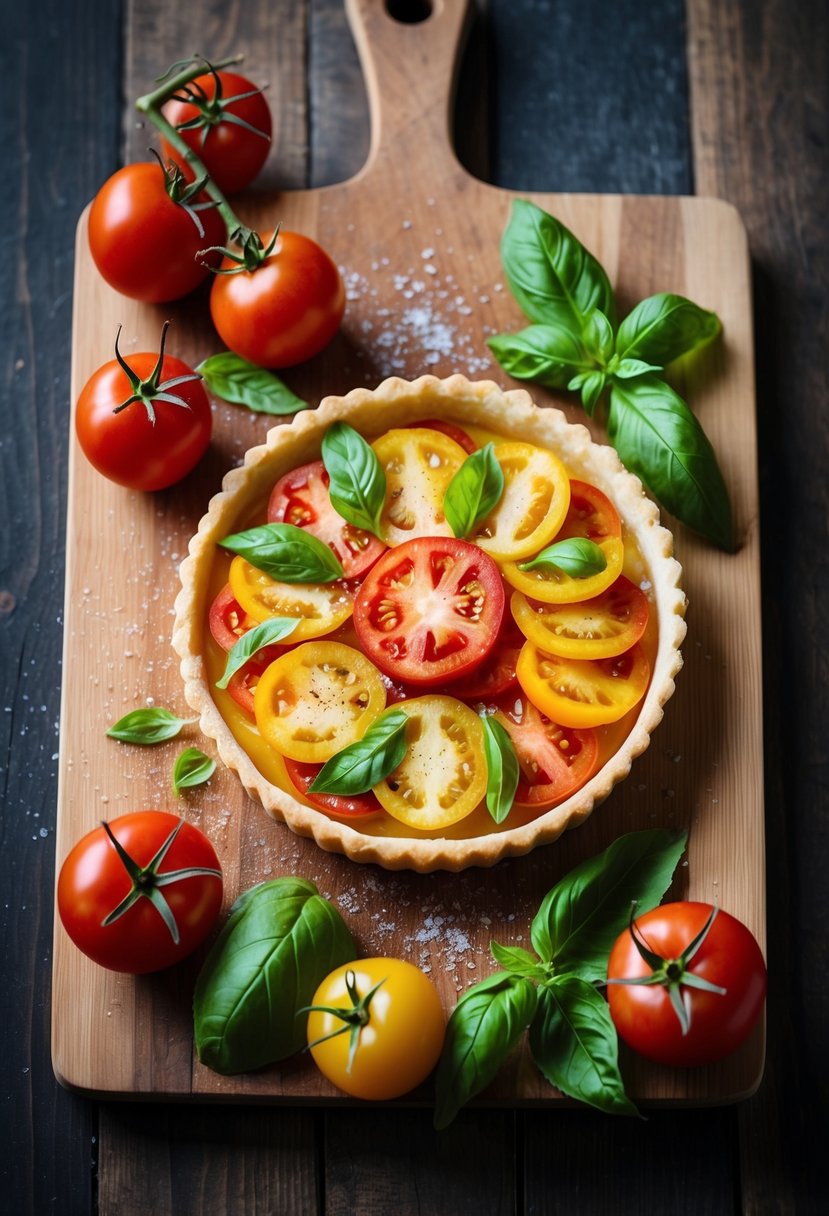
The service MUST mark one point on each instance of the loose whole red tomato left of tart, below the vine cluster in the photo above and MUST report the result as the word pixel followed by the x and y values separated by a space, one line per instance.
pixel 146 424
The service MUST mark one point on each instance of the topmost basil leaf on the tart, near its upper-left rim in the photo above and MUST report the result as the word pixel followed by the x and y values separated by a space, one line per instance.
pixel 357 478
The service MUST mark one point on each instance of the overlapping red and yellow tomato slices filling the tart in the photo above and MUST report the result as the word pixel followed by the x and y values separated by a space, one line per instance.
pixel 443 629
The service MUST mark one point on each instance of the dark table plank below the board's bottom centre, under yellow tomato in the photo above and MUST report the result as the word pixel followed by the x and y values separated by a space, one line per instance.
pixel 376 1164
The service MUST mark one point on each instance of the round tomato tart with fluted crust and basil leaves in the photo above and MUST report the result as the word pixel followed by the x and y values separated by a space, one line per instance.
pixel 431 626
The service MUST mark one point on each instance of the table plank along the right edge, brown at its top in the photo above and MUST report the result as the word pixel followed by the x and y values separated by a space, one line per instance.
pixel 760 127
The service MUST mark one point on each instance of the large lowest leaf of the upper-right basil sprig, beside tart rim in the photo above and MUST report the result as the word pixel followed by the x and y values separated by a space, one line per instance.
pixel 661 441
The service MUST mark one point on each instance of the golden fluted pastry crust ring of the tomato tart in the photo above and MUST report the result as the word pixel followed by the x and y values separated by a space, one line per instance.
pixel 393 404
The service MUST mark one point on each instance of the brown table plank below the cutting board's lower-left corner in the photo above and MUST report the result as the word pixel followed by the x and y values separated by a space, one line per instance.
pixel 187 1162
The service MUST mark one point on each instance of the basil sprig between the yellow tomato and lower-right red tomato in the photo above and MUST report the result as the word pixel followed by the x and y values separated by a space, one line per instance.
pixel 572 1037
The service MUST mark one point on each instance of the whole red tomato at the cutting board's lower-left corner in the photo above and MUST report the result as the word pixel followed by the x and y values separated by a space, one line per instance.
pixel 142 893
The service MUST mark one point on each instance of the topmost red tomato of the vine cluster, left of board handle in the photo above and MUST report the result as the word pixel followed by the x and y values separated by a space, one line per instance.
pixel 233 150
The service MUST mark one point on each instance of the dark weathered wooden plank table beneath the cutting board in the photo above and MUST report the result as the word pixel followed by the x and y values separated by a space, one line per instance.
pixel 724 98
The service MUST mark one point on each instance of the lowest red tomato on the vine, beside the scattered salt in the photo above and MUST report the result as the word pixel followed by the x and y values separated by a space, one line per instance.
pixel 286 309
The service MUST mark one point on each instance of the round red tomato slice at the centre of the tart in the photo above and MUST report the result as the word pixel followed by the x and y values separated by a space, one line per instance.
pixel 430 611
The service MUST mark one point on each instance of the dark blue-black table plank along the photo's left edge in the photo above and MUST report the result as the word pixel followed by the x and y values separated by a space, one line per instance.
pixel 60 142
